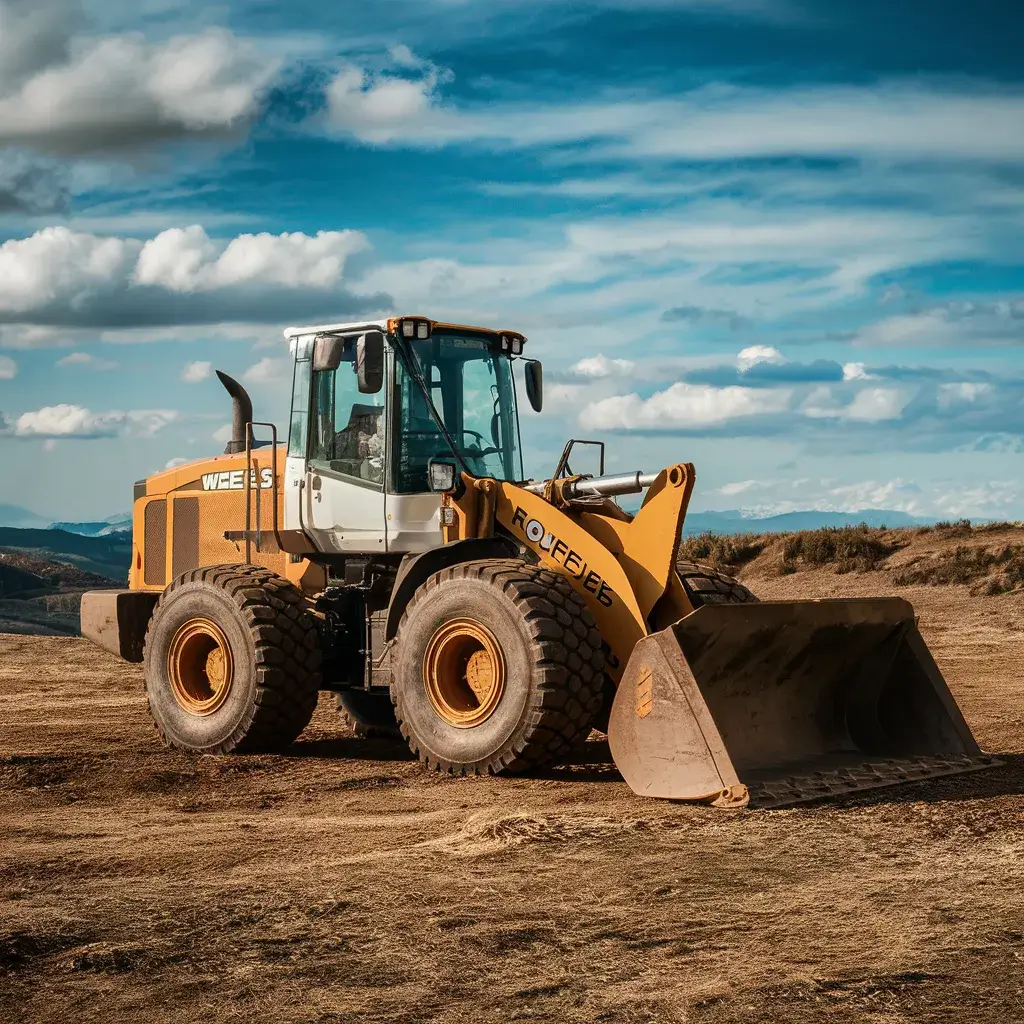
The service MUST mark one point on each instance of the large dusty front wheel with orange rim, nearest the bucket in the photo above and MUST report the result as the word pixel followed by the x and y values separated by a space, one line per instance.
pixel 499 668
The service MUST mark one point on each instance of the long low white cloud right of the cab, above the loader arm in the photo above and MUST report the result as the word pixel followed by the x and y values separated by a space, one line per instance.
pixel 682 407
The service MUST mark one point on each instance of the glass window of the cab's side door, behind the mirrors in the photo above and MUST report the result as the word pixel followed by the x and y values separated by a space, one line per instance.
pixel 349 428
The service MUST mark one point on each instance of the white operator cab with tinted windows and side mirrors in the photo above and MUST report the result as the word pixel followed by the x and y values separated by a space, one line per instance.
pixel 374 406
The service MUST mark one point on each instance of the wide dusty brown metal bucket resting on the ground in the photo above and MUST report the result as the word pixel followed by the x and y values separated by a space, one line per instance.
pixel 783 702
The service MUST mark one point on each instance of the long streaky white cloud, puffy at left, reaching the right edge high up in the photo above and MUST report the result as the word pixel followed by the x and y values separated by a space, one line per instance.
pixel 885 120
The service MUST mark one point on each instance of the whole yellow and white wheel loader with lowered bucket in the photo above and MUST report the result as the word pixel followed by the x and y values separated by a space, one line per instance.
pixel 393 550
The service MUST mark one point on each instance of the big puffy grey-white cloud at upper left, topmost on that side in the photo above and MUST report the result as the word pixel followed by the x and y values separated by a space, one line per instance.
pixel 119 92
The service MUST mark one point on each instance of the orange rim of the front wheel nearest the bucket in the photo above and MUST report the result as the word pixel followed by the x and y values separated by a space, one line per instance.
pixel 464 673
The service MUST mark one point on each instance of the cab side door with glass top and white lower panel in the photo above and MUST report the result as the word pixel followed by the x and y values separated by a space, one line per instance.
pixel 344 497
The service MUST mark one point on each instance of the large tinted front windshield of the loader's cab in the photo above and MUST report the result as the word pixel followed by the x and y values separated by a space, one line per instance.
pixel 472 389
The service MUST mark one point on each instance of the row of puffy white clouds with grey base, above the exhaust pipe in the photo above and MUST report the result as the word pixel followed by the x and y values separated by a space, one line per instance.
pixel 63 278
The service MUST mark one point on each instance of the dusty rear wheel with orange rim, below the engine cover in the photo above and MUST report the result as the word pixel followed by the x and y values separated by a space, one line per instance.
pixel 232 662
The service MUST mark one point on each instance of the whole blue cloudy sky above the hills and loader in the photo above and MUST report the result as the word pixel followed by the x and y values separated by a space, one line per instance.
pixel 781 239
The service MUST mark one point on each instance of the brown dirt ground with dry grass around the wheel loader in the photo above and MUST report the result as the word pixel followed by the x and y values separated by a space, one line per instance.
pixel 340 883
